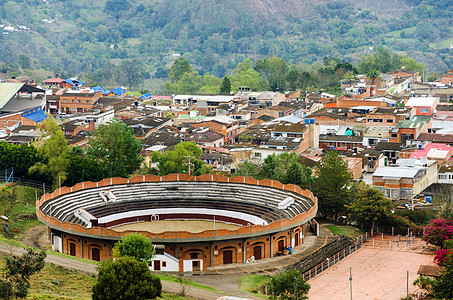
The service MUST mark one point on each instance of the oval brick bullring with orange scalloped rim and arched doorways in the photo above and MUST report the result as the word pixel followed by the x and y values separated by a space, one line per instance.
pixel 194 222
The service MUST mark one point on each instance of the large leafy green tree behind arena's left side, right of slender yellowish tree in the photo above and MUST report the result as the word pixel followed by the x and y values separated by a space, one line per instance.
pixel 116 146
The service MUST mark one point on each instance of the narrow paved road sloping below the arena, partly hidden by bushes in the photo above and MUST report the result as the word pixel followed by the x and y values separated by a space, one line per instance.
pixel 89 269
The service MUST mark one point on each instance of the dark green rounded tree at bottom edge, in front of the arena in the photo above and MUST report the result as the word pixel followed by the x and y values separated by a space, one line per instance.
pixel 126 279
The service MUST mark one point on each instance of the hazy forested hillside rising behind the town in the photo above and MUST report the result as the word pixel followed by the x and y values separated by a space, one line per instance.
pixel 84 36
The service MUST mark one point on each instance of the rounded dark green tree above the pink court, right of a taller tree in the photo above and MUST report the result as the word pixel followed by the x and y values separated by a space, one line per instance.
pixel 369 206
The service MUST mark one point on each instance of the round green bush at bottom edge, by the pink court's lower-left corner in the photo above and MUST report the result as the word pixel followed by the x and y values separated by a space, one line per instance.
pixel 288 285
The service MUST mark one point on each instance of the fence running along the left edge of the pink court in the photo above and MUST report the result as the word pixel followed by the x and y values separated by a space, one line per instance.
pixel 337 257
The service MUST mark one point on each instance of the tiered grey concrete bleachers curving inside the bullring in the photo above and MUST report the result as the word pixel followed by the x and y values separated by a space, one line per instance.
pixel 256 200
